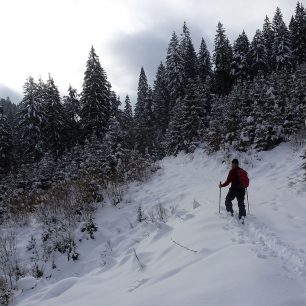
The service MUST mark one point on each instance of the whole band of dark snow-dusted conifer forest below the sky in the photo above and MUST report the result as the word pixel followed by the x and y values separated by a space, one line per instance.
pixel 247 95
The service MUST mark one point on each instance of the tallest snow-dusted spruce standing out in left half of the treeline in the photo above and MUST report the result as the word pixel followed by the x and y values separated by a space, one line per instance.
pixel 95 99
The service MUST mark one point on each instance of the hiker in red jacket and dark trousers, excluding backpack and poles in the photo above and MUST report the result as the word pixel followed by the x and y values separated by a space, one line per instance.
pixel 236 190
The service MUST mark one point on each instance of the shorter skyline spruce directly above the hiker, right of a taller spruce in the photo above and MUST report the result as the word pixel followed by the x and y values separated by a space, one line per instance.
pixel 240 62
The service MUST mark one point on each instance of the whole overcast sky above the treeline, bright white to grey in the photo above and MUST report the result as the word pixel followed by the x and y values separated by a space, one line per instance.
pixel 42 36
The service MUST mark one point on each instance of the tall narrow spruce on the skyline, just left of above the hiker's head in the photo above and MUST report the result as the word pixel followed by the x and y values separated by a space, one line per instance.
pixel 222 59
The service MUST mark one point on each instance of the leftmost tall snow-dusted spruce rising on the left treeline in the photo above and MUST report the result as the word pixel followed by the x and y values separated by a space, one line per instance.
pixel 31 122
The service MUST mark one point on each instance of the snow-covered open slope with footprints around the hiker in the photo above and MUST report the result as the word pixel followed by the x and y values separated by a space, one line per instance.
pixel 197 257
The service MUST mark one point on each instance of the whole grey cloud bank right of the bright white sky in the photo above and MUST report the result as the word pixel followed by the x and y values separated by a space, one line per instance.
pixel 148 47
